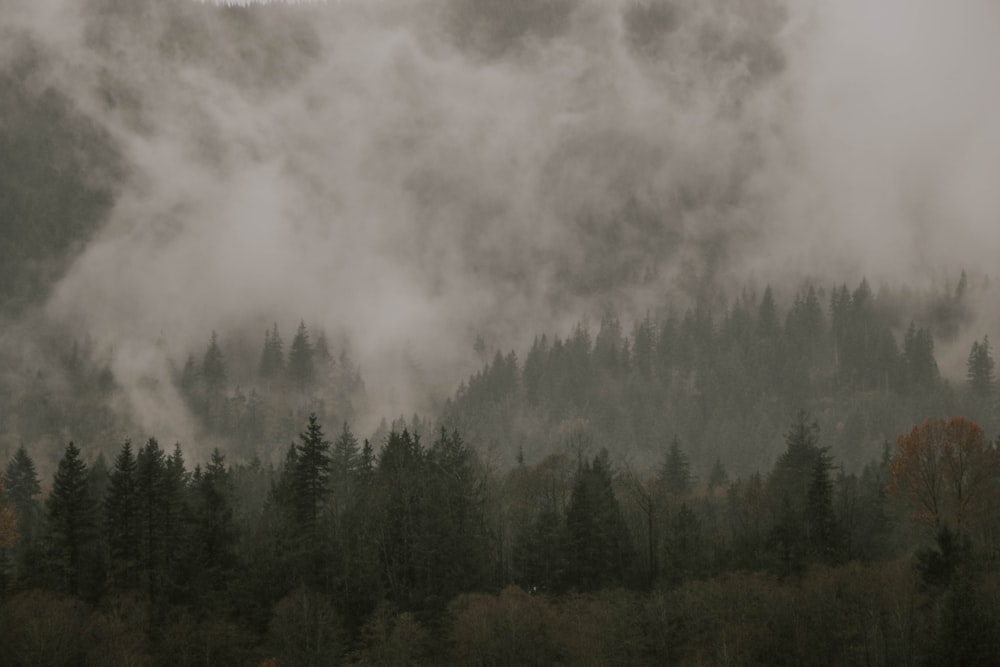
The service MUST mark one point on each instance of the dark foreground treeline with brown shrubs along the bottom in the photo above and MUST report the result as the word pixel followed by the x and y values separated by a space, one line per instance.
pixel 411 553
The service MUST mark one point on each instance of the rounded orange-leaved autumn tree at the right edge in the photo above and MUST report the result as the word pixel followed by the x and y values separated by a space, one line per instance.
pixel 947 470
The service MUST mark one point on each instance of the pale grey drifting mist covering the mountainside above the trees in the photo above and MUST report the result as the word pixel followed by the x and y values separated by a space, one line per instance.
pixel 410 174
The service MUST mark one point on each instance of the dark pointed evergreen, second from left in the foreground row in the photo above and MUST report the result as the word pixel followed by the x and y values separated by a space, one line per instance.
pixel 71 522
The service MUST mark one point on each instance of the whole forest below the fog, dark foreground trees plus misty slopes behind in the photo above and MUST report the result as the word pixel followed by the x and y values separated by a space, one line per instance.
pixel 584 507
